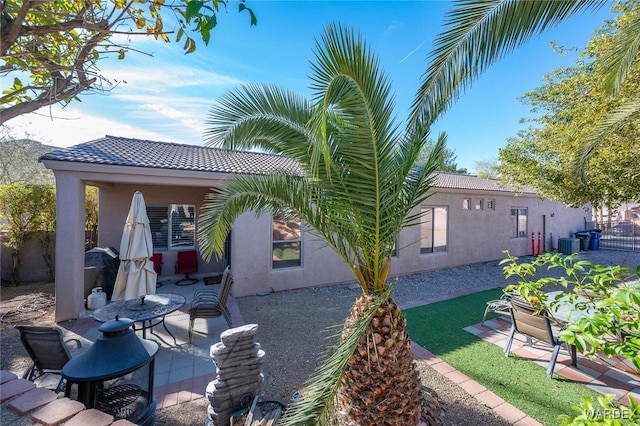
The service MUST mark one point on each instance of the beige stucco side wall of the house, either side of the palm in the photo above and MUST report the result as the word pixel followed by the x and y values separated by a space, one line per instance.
pixel 473 236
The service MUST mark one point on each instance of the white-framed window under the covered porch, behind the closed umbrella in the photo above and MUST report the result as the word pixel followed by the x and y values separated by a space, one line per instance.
pixel 173 227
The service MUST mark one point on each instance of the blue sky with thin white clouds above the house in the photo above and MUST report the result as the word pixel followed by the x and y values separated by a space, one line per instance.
pixel 166 96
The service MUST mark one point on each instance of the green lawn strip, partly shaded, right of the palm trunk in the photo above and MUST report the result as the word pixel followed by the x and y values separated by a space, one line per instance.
pixel 524 384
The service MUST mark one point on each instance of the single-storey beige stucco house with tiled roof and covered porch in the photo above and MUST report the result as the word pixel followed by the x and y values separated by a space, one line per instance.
pixel 467 219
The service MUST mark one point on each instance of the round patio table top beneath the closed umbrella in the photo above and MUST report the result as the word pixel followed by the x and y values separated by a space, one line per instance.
pixel 160 305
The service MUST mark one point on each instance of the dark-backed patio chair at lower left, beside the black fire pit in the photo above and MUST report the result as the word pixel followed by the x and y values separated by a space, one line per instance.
pixel 48 351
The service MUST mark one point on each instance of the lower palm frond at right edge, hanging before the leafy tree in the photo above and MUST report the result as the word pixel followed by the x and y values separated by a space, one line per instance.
pixel 616 120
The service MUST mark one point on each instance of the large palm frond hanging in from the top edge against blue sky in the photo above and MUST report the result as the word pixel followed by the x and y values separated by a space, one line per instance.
pixel 478 33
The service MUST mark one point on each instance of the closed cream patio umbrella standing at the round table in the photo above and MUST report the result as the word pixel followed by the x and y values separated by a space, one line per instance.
pixel 136 277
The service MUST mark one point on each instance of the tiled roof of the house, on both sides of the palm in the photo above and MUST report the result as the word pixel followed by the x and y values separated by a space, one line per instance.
pixel 119 151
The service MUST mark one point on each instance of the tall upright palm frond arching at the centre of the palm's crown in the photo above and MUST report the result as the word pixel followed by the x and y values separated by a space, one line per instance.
pixel 358 136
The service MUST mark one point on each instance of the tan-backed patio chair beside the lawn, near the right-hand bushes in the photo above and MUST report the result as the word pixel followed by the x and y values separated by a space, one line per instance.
pixel 537 326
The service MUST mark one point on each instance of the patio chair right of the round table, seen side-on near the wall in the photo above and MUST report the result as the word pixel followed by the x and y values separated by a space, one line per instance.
pixel 211 304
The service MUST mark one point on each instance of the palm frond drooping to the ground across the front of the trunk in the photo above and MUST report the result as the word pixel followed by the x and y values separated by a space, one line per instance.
pixel 318 403
